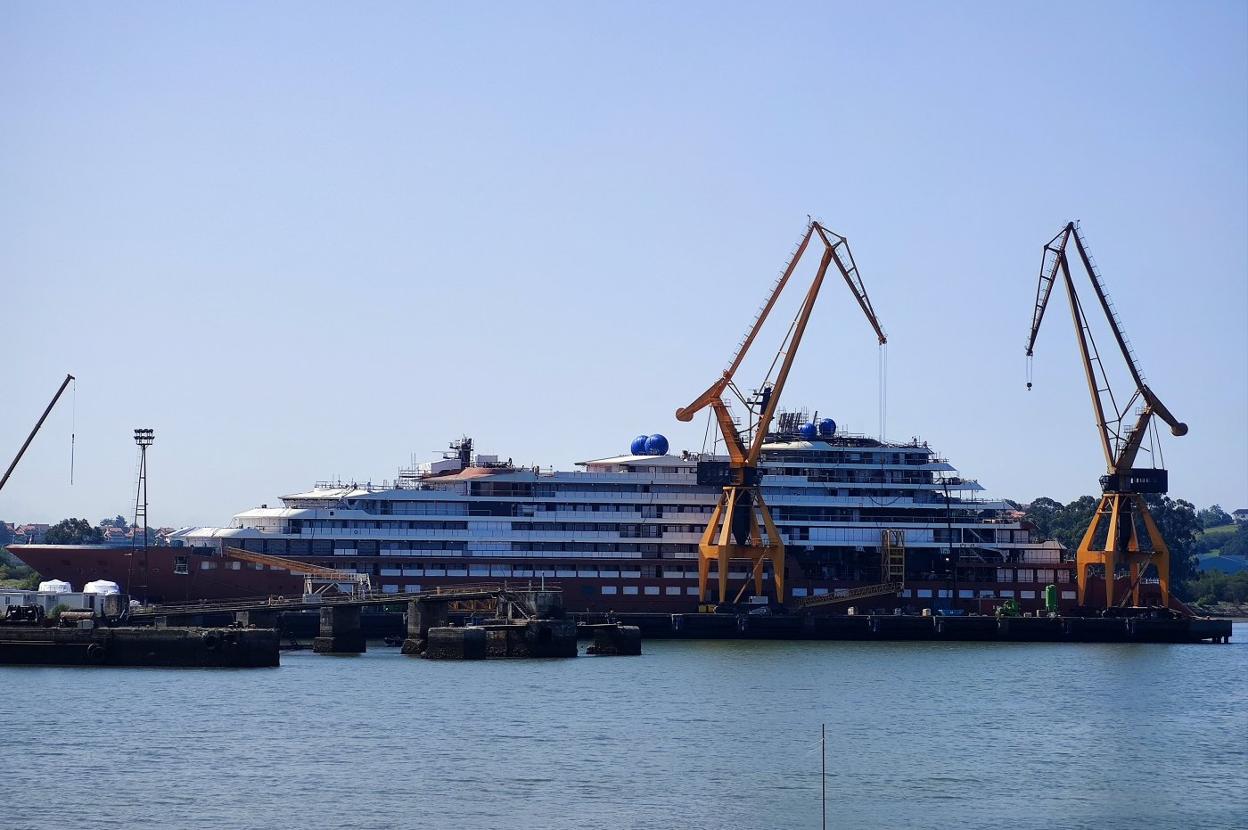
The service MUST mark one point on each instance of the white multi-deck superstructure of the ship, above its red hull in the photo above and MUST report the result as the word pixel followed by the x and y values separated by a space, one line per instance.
pixel 475 516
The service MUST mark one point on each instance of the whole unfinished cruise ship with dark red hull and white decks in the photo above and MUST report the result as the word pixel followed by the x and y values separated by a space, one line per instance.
pixel 618 534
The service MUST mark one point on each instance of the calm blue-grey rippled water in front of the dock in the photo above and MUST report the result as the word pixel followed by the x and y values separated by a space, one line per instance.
pixel 688 736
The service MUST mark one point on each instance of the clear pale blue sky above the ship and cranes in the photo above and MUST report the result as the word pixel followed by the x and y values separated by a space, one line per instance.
pixel 308 240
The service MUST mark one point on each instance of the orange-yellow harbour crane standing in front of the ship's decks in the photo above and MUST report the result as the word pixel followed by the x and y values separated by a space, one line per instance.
pixel 741 526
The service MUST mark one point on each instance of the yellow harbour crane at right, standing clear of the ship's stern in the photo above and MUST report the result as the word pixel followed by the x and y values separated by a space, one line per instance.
pixel 1114 536
